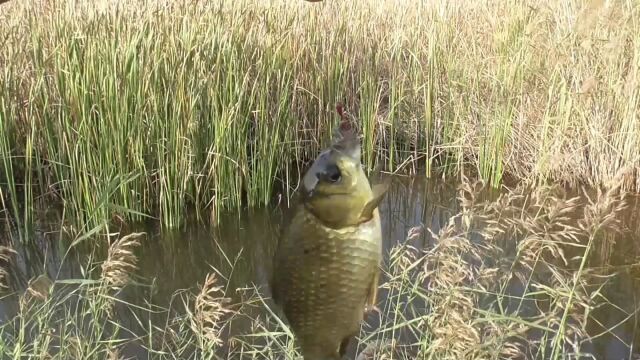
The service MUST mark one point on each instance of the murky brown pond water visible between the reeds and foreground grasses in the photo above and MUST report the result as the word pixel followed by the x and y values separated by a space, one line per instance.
pixel 242 245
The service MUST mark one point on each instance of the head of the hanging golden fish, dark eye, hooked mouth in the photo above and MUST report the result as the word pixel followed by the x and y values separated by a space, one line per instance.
pixel 335 188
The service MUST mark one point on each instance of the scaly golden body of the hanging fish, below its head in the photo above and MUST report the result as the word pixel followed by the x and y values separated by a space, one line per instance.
pixel 327 280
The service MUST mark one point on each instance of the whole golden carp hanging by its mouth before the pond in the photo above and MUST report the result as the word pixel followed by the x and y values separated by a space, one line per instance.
pixel 327 265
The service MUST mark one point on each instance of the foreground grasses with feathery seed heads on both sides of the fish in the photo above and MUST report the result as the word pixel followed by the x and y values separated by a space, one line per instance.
pixel 456 300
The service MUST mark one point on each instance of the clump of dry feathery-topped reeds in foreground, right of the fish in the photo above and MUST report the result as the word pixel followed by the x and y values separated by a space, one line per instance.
pixel 526 239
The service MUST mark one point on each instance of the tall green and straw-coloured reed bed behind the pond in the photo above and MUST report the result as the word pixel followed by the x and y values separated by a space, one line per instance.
pixel 206 104
